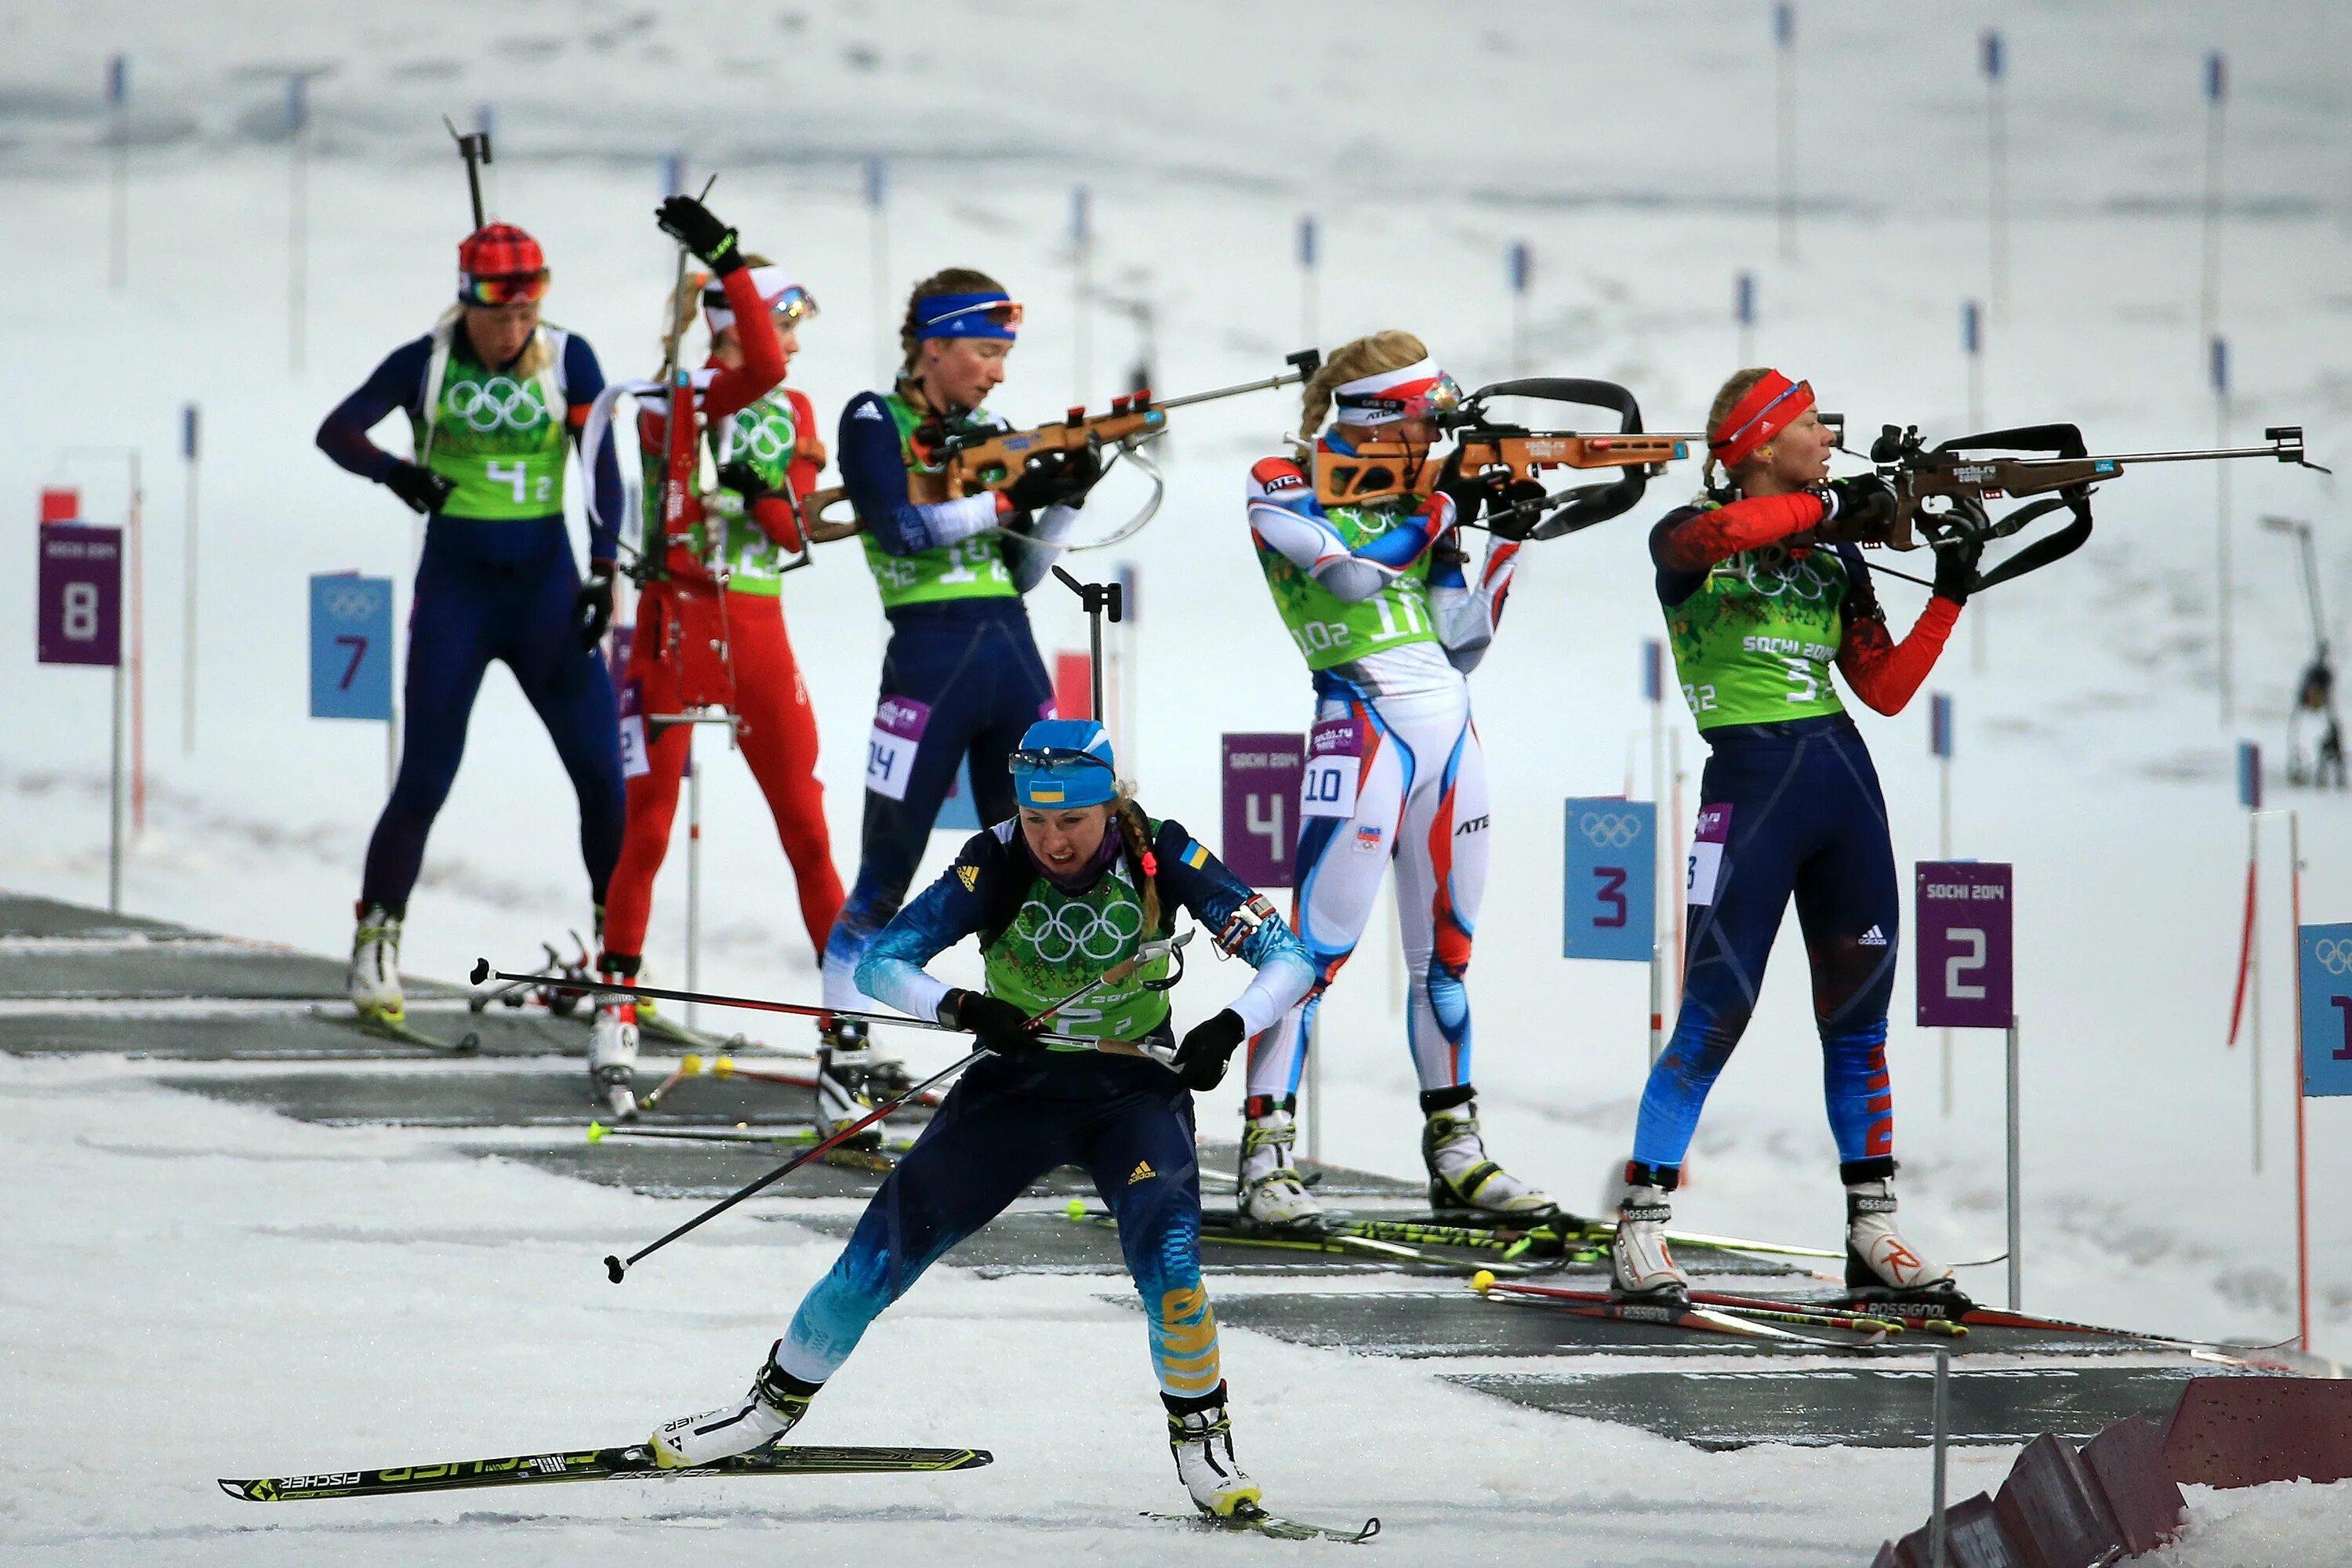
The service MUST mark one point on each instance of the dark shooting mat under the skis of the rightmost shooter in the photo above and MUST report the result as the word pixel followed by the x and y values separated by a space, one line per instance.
pixel 1464 1325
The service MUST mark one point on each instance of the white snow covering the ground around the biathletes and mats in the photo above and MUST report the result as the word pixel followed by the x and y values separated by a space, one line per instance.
pixel 345 1294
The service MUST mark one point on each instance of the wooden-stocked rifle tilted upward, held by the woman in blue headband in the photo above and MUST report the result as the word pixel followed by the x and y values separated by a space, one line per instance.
pixel 963 462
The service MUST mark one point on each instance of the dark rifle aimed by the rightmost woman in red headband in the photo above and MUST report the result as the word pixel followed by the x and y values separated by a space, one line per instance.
pixel 1942 490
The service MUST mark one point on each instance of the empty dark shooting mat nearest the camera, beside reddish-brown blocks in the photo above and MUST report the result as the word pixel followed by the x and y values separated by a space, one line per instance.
pixel 1878 1402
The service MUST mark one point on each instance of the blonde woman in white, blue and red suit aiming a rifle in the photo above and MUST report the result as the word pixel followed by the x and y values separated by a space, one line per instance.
pixel 1379 605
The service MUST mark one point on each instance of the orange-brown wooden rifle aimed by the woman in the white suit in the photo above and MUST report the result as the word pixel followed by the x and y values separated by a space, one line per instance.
pixel 1509 453
